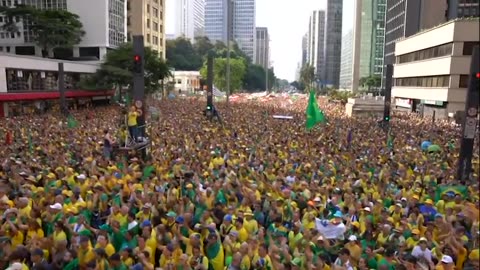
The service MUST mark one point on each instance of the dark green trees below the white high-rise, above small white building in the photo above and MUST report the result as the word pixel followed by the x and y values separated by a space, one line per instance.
pixel 181 55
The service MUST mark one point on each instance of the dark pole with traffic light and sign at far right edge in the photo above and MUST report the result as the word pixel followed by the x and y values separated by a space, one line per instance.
pixel 469 126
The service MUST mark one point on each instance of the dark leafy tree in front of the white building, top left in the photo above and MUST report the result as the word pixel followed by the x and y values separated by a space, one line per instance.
pixel 51 28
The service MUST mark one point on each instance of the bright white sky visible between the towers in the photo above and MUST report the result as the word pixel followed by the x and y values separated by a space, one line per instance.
pixel 287 22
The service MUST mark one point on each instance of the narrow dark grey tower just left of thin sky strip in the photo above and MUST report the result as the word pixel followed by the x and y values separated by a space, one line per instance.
pixel 333 42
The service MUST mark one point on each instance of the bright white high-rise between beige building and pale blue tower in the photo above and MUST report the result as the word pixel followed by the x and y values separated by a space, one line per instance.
pixel 188 18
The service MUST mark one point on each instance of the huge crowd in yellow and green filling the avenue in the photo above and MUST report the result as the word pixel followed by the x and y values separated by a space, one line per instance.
pixel 253 192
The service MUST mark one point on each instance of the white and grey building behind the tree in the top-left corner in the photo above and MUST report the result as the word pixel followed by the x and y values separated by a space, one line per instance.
pixel 104 23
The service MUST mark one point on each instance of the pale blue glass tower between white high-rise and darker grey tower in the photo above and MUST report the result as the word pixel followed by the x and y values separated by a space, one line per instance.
pixel 216 16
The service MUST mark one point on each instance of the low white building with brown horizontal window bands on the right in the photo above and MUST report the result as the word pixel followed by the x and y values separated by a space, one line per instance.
pixel 431 68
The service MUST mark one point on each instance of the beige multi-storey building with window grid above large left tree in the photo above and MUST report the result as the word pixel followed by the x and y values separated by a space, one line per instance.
pixel 147 18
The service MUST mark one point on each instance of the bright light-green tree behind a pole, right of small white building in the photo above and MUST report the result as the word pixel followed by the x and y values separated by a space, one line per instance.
pixel 237 72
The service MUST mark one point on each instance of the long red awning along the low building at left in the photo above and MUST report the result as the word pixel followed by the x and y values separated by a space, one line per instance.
pixel 53 95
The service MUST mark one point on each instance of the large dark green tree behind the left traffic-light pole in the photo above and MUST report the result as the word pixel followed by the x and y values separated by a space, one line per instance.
pixel 117 70
